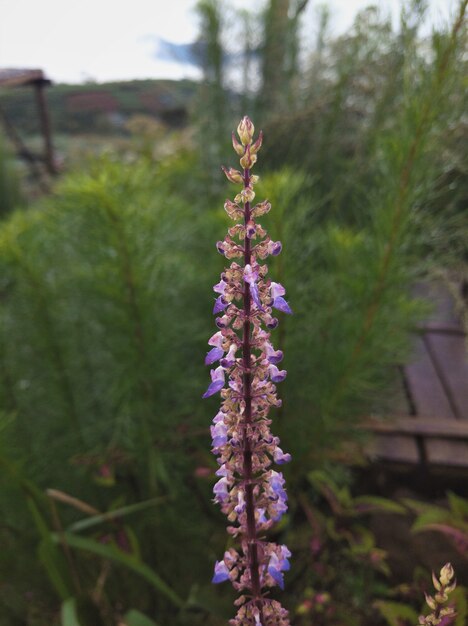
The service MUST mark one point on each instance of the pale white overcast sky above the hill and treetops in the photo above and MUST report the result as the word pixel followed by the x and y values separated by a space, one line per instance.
pixel 107 40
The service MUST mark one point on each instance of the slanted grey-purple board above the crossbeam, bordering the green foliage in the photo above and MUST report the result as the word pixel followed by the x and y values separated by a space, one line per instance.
pixel 427 393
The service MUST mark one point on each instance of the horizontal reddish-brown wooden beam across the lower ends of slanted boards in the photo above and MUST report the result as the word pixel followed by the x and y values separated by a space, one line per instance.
pixel 420 426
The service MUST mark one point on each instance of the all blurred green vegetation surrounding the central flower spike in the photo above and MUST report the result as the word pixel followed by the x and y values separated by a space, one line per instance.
pixel 105 313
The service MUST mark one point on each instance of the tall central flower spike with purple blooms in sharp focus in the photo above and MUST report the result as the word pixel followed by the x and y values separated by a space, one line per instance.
pixel 250 492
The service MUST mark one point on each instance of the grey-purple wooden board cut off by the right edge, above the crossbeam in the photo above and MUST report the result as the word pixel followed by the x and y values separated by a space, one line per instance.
pixel 448 353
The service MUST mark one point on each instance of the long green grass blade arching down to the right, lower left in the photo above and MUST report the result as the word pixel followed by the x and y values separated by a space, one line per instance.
pixel 114 554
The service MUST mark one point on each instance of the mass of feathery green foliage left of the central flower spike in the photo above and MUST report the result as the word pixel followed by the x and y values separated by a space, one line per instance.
pixel 100 321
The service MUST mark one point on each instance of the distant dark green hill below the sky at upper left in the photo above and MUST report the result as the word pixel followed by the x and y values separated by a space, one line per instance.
pixel 100 108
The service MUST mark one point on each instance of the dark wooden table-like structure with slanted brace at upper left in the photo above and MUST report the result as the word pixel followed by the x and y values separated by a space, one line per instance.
pixel 36 79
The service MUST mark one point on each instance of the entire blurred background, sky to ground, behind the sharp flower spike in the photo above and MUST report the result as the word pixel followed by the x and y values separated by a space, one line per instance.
pixel 111 201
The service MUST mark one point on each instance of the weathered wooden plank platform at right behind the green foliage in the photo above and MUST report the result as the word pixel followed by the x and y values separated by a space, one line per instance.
pixel 430 426
